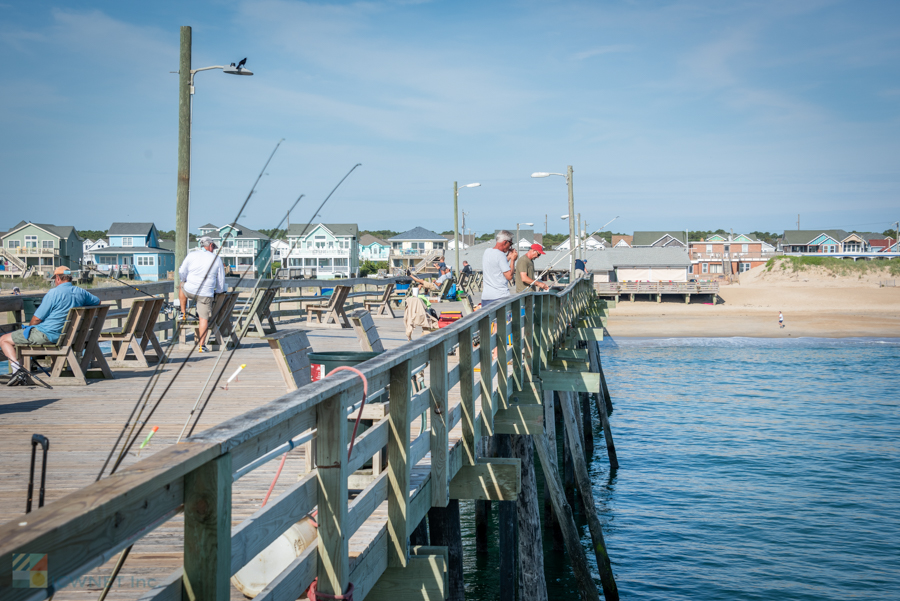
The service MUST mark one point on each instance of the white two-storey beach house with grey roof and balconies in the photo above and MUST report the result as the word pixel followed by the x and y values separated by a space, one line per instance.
pixel 324 250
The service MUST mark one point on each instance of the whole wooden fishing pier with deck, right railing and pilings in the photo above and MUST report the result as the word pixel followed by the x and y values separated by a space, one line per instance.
pixel 192 510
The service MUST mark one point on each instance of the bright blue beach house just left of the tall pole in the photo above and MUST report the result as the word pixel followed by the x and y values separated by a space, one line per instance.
pixel 134 250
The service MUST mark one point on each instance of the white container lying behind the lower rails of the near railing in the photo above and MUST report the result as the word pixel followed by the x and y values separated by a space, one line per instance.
pixel 274 559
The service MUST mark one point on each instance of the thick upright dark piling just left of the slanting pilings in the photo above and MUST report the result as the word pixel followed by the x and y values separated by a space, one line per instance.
pixel 532 582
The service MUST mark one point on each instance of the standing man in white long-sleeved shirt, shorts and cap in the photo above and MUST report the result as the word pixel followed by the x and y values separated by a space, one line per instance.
pixel 202 277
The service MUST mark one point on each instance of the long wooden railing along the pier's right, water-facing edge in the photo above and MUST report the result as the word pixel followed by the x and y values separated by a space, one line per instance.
pixel 88 527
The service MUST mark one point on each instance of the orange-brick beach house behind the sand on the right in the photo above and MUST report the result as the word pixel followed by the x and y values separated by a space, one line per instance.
pixel 723 255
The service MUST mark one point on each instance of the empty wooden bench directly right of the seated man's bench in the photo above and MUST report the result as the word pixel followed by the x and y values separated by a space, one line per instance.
pixel 135 335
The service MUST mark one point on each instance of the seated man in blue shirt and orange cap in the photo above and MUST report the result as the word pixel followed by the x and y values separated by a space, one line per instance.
pixel 46 325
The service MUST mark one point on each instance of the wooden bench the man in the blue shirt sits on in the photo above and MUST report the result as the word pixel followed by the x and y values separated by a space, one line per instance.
pixel 78 347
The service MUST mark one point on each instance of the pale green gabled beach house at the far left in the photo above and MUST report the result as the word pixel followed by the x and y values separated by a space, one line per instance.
pixel 41 246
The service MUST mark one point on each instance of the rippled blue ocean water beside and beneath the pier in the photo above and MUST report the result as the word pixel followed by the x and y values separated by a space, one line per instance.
pixel 750 469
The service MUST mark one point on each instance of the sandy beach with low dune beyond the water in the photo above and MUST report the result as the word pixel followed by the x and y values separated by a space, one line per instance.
pixel 814 304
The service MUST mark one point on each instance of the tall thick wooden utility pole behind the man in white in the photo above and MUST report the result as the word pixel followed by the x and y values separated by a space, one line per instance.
pixel 184 152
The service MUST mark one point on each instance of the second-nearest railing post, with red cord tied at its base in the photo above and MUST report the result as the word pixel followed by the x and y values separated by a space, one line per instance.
pixel 331 457
